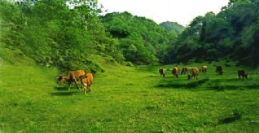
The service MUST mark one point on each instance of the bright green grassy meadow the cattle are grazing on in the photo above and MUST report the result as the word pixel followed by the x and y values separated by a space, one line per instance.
pixel 125 100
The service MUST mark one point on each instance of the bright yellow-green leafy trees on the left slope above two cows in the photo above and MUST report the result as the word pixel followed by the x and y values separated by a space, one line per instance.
pixel 61 33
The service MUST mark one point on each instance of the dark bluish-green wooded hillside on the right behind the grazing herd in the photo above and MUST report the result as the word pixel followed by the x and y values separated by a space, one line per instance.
pixel 233 33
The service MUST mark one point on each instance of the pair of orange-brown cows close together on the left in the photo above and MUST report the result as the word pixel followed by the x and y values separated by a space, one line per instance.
pixel 77 75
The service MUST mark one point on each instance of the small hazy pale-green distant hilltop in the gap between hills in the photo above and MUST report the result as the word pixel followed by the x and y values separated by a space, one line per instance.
pixel 173 27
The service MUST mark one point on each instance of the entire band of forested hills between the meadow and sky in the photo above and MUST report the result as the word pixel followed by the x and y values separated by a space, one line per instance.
pixel 64 33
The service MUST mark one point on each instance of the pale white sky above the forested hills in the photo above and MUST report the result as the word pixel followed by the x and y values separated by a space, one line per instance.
pixel 181 11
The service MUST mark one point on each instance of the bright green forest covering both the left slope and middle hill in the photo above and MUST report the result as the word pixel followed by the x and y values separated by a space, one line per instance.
pixel 71 34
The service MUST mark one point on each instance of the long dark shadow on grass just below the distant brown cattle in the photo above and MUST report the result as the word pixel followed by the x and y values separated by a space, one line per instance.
pixel 194 84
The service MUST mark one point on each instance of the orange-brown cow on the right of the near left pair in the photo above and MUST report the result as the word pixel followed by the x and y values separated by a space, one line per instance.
pixel 87 80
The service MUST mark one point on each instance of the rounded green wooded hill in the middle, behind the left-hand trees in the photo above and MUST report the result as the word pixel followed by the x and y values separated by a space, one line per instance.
pixel 141 40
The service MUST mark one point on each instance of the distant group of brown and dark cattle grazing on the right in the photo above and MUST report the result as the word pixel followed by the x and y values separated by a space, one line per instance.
pixel 193 72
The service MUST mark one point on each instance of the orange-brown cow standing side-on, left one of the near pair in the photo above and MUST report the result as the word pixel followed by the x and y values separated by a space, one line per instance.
pixel 72 76
